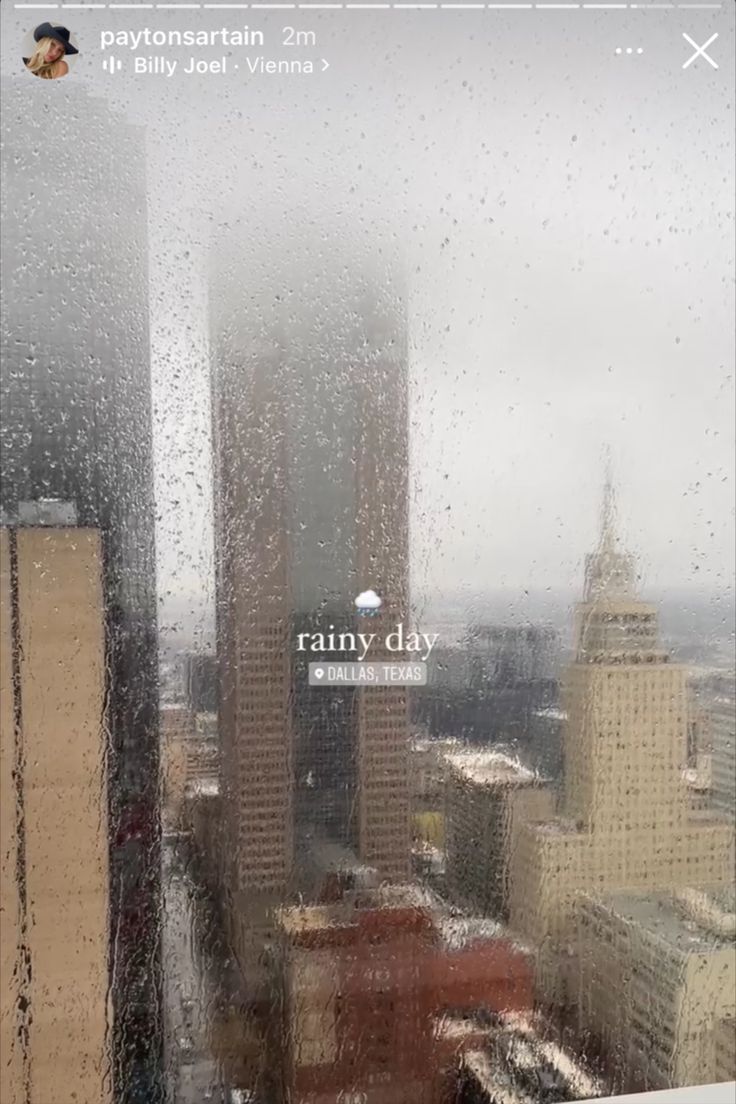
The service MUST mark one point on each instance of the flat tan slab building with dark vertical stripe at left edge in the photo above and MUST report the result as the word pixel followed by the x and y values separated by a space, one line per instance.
pixel 56 1015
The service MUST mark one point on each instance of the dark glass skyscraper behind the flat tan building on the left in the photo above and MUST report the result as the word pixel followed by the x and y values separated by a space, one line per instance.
pixel 77 431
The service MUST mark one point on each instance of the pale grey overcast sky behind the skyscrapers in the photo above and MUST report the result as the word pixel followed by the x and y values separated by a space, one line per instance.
pixel 566 216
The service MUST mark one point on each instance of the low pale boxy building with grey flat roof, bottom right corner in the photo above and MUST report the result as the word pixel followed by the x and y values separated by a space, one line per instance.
pixel 658 984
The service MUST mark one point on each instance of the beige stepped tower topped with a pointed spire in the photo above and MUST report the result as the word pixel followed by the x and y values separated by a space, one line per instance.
pixel 625 820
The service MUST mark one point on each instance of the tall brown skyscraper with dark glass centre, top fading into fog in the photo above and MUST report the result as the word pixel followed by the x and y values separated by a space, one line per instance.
pixel 311 412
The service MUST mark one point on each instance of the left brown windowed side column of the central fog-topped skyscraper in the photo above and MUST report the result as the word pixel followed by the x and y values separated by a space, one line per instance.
pixel 254 649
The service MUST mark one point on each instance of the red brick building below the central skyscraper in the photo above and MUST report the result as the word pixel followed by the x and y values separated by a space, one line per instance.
pixel 372 986
